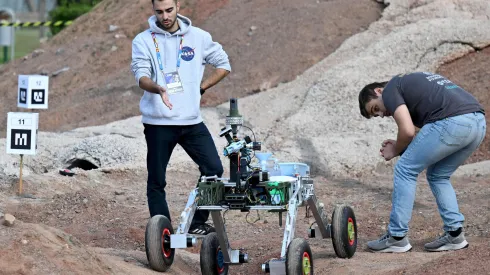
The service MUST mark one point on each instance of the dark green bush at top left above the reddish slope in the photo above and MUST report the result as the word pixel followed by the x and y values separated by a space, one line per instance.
pixel 68 11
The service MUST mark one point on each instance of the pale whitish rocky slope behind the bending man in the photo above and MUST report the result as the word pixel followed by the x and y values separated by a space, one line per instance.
pixel 316 119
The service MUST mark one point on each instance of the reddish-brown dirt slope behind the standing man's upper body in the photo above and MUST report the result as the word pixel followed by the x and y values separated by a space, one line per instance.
pixel 98 87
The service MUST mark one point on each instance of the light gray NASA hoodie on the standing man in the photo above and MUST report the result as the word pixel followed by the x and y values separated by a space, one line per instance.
pixel 198 50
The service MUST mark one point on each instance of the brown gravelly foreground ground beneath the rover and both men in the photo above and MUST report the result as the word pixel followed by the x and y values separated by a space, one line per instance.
pixel 97 226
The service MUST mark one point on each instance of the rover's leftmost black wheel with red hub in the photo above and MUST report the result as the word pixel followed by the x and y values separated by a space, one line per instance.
pixel 160 256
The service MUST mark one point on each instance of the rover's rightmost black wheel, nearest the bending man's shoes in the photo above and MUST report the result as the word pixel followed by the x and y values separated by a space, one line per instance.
pixel 344 245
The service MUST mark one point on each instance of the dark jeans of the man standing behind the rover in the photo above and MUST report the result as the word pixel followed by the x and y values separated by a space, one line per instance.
pixel 161 141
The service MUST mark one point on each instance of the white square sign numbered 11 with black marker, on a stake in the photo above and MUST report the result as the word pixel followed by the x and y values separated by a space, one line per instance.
pixel 22 133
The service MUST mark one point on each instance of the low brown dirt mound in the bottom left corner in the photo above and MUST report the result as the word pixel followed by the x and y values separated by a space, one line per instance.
pixel 38 249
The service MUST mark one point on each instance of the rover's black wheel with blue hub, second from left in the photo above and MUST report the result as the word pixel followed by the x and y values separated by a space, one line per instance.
pixel 209 256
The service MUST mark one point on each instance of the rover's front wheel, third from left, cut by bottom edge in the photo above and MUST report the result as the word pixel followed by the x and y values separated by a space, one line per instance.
pixel 294 257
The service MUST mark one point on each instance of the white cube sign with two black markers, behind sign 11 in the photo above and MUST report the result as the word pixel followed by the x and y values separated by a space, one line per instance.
pixel 33 92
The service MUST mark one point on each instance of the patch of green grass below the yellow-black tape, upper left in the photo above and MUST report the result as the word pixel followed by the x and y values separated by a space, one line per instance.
pixel 26 41
